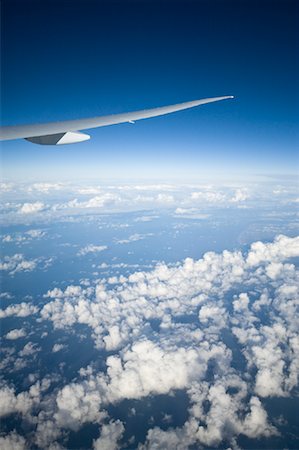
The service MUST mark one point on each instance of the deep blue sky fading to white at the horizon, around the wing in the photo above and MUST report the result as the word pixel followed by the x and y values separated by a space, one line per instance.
pixel 70 59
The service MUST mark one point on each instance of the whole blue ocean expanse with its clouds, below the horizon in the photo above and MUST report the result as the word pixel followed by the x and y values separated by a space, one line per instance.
pixel 149 316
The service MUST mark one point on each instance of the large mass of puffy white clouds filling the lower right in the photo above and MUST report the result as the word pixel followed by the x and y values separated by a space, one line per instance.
pixel 170 328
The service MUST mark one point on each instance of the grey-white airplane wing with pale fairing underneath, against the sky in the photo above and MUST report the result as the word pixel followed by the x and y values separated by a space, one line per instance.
pixel 68 132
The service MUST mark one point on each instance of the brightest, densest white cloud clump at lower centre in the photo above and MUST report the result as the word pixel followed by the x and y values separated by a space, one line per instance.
pixel 149 369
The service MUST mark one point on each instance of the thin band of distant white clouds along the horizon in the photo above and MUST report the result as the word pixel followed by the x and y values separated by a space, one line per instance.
pixel 131 198
